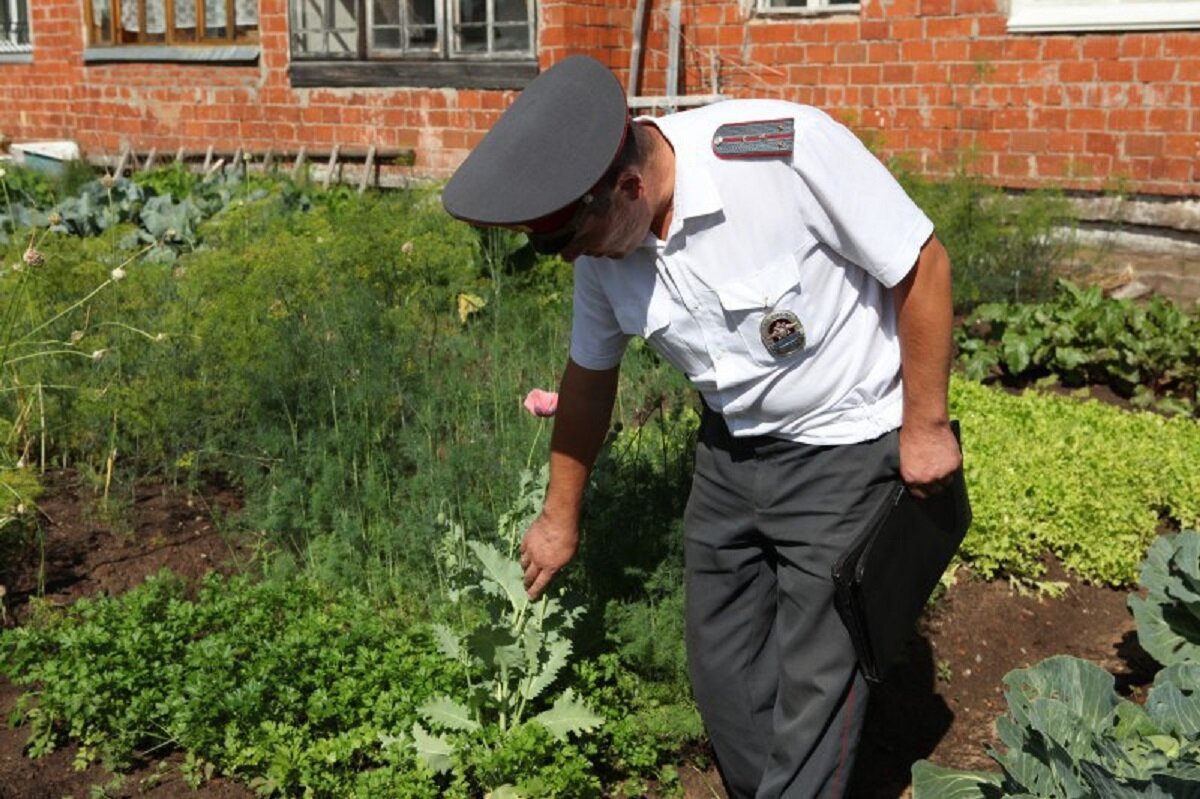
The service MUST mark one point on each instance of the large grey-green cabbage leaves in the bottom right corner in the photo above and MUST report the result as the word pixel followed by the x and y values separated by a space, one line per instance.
pixel 1069 735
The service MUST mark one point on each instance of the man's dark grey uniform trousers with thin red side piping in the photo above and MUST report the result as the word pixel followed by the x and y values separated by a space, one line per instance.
pixel 772 666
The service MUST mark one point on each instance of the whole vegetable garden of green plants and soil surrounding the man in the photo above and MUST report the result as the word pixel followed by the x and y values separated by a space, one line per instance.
pixel 361 385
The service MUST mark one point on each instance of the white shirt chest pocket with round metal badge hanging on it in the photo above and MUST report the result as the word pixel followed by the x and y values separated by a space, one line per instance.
pixel 771 307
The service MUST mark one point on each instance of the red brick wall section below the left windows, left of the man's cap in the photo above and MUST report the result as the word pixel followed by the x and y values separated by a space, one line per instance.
pixel 109 107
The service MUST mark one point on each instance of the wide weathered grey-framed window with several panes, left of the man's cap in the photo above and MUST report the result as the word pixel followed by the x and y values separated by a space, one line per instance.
pixel 412 29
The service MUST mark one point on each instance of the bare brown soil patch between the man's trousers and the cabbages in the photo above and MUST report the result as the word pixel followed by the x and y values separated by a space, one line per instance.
pixel 941 705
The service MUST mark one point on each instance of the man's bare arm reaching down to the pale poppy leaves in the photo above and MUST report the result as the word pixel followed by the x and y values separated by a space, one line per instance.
pixel 585 408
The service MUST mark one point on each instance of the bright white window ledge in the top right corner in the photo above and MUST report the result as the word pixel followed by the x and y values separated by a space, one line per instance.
pixel 1037 16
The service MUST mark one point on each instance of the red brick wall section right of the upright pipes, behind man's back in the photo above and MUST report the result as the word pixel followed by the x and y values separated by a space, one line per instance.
pixel 943 83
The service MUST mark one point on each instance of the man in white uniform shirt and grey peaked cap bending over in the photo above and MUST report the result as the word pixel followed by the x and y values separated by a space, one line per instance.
pixel 764 251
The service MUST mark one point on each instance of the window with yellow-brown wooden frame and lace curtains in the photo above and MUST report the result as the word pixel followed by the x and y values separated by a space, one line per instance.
pixel 171 22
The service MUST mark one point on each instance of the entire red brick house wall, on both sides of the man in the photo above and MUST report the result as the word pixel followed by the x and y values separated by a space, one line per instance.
pixel 939 82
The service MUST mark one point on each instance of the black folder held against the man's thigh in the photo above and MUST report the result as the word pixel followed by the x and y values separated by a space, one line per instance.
pixel 887 575
